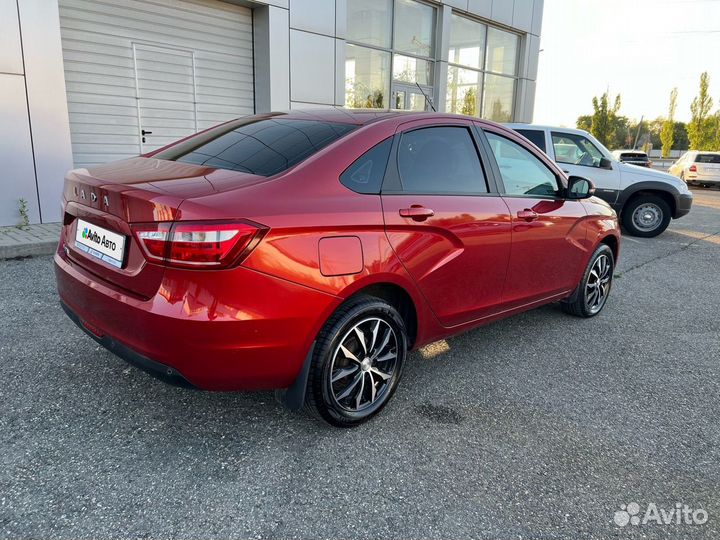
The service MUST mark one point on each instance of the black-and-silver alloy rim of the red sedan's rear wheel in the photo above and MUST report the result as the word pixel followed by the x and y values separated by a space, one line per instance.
pixel 363 364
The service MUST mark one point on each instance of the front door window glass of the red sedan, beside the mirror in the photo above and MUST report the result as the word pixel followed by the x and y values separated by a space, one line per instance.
pixel 522 173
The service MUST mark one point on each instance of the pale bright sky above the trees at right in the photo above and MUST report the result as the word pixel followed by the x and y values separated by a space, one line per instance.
pixel 639 49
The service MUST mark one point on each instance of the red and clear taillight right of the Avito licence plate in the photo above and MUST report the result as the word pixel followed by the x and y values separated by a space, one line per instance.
pixel 198 244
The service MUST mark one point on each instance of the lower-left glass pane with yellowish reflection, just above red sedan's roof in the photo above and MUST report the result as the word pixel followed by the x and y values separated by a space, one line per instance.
pixel 367 77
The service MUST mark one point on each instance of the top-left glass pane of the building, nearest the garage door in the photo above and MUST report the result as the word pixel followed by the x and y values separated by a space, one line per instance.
pixel 370 22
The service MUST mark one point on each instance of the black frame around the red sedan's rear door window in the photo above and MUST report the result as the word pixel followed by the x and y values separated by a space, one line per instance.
pixel 392 182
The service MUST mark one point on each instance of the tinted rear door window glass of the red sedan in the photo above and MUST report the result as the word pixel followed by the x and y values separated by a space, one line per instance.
pixel 440 160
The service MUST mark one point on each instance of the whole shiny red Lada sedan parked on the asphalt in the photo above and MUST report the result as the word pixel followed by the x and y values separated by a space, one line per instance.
pixel 308 252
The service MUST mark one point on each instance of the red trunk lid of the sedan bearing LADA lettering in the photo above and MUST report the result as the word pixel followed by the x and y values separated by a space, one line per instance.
pixel 138 190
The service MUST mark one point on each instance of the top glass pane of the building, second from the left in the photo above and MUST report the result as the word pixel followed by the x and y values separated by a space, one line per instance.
pixel 414 28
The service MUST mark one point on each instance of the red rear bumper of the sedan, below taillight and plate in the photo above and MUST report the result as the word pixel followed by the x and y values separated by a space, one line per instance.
pixel 224 330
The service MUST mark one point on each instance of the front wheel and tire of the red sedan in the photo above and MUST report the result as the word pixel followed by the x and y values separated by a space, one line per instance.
pixel 593 290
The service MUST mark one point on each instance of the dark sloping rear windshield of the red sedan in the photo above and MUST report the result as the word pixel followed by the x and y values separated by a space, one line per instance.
pixel 263 147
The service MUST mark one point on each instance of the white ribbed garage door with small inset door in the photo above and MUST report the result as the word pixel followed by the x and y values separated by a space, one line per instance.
pixel 143 73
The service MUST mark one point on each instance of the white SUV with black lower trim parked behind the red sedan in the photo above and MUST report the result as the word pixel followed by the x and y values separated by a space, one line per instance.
pixel 644 199
